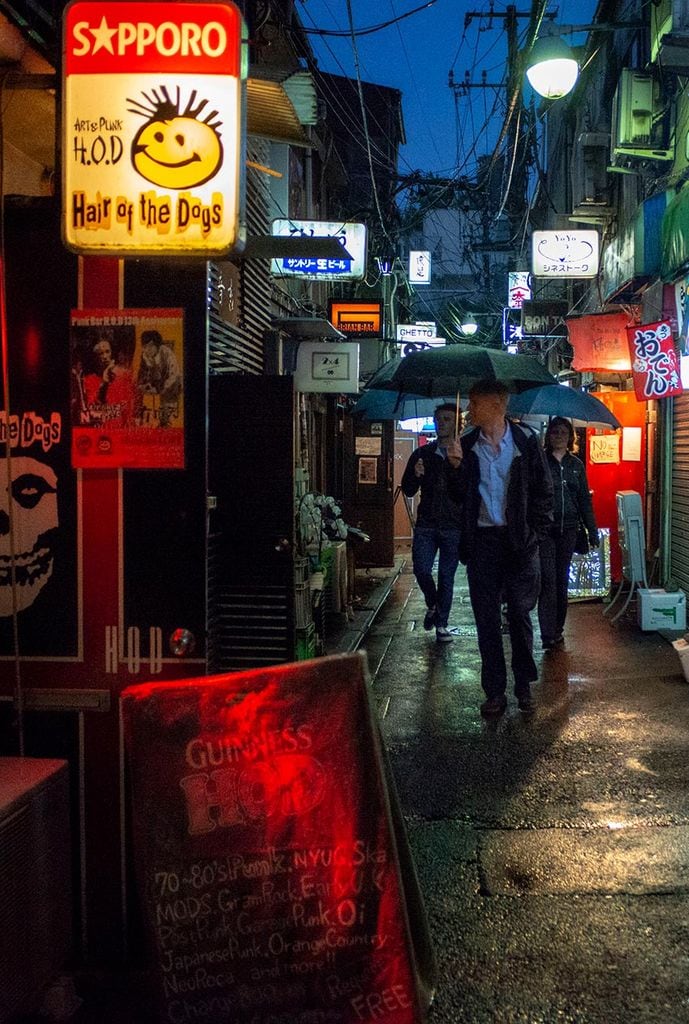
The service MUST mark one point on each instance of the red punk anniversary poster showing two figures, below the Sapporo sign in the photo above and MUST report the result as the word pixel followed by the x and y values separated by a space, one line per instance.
pixel 127 390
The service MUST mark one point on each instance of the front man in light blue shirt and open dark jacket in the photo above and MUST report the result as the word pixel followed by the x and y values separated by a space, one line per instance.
pixel 498 474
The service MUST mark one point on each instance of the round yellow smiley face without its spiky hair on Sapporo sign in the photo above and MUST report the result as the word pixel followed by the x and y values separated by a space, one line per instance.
pixel 179 153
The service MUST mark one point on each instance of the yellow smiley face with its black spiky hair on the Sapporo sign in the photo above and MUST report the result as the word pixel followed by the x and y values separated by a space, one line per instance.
pixel 176 149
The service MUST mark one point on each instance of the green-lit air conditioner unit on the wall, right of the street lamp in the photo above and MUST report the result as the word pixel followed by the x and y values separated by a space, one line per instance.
pixel 641 118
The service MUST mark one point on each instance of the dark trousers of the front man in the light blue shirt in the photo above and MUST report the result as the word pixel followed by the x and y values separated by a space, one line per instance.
pixel 495 574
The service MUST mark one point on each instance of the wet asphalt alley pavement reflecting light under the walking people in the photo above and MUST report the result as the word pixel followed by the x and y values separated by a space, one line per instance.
pixel 553 851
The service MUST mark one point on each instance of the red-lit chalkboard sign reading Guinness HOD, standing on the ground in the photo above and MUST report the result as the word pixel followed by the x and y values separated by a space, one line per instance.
pixel 271 857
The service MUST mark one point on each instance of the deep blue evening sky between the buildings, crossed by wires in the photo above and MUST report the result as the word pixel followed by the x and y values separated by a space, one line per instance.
pixel 416 55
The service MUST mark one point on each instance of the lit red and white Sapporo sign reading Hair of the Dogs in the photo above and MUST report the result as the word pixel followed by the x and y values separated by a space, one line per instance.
pixel 152 127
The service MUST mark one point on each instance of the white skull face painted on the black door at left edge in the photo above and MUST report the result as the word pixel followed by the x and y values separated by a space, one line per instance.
pixel 31 497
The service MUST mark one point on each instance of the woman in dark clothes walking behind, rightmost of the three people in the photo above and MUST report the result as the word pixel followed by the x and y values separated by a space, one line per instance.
pixel 573 503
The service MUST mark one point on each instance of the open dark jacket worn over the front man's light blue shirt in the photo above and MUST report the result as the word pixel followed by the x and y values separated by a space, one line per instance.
pixel 529 507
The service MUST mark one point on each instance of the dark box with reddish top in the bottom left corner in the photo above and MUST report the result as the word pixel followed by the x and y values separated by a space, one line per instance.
pixel 35 882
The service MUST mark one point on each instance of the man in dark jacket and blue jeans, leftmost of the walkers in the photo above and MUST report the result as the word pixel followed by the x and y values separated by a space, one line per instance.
pixel 438 526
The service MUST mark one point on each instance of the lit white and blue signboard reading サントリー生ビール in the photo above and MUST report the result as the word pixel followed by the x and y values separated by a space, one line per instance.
pixel 353 237
